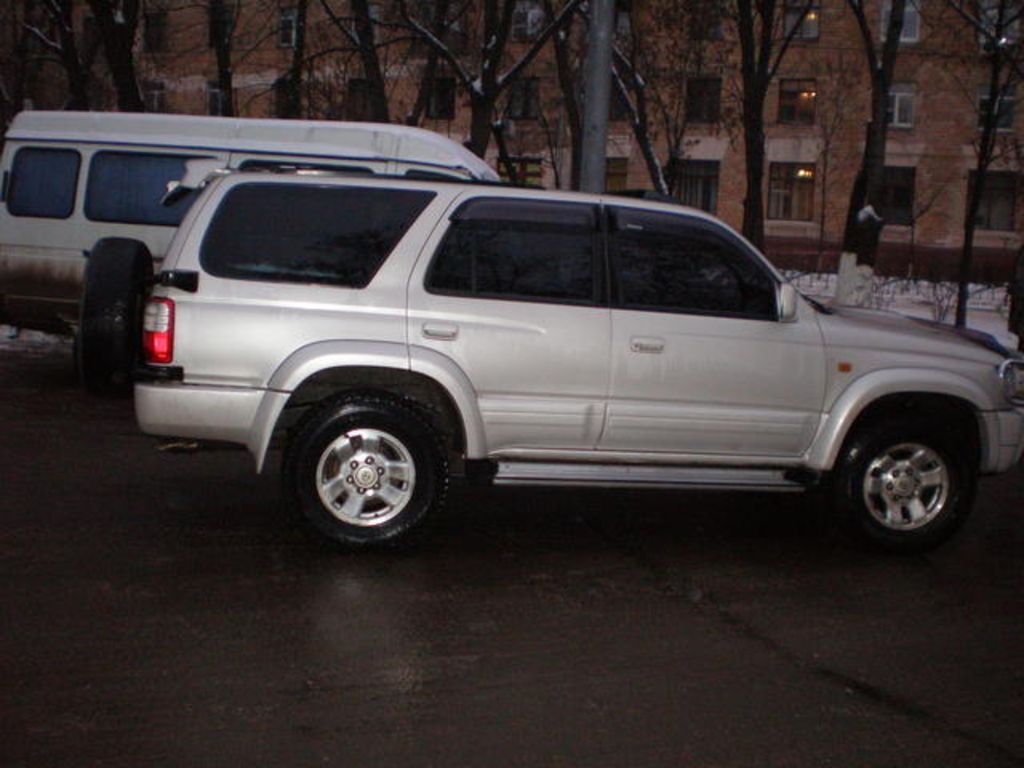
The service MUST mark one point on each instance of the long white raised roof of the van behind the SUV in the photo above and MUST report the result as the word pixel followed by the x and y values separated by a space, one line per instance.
pixel 328 139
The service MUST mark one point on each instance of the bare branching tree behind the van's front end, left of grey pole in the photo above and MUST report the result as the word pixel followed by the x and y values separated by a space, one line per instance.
pixel 489 81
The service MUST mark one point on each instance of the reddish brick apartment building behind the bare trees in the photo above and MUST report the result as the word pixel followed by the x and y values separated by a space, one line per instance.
pixel 687 56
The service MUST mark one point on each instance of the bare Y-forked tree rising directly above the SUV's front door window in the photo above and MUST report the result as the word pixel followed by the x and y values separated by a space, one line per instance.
pixel 765 31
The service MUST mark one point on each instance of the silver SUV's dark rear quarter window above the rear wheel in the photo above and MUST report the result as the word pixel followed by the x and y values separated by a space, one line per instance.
pixel 338 236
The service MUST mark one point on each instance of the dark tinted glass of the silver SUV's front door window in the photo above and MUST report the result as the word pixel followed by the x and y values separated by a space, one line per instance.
pixel 665 264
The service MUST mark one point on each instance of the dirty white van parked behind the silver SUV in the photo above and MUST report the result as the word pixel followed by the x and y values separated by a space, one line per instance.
pixel 71 179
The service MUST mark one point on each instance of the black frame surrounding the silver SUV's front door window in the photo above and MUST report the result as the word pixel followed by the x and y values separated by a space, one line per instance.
pixel 691 227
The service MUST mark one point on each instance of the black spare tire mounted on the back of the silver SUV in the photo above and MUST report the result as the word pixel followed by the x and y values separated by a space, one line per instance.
pixel 109 338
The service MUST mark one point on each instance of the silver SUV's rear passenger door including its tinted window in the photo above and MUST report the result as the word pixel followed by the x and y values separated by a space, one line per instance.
pixel 514 295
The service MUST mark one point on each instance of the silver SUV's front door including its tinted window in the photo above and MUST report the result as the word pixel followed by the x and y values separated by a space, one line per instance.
pixel 700 363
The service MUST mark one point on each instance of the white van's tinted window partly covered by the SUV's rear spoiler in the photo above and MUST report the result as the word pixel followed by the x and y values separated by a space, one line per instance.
pixel 127 188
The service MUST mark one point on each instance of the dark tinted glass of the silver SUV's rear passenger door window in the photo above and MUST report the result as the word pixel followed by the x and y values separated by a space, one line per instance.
pixel 521 250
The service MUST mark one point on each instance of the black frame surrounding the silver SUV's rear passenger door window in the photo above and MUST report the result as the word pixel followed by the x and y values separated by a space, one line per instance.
pixel 511 210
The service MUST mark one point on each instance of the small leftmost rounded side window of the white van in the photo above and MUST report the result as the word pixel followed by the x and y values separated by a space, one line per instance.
pixel 44 183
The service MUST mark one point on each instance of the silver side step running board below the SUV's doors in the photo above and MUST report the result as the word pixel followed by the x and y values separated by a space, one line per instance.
pixel 602 476
